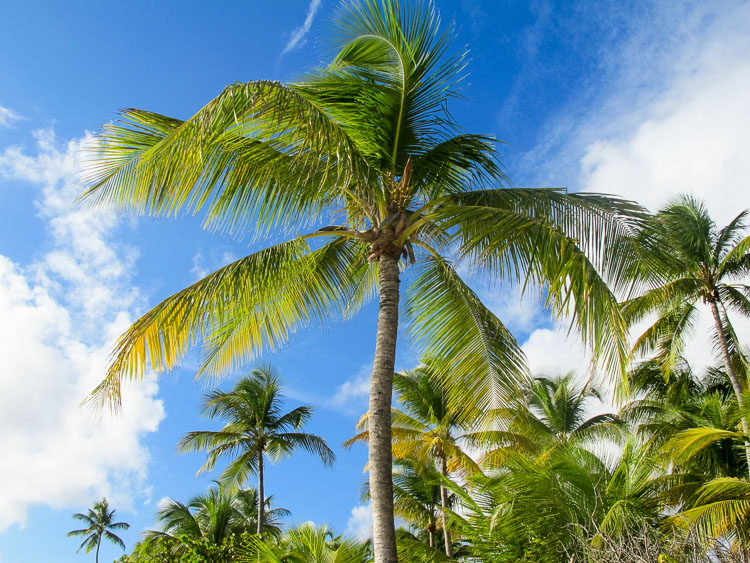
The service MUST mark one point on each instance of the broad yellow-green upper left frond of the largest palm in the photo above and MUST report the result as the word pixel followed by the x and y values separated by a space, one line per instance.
pixel 235 159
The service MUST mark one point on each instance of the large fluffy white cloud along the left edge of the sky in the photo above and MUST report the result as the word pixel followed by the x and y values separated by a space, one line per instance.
pixel 60 315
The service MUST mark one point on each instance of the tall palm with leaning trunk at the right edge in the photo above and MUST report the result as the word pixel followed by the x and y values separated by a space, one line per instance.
pixel 696 262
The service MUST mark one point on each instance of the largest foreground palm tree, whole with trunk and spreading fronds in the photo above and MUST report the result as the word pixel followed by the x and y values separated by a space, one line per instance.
pixel 366 141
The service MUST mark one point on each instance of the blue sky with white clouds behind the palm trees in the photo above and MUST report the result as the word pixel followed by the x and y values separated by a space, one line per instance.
pixel 641 99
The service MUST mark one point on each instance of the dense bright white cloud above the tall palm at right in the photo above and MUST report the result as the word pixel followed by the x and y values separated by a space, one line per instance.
pixel 694 142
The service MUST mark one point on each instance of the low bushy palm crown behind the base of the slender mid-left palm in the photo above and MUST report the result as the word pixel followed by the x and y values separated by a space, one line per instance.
pixel 214 516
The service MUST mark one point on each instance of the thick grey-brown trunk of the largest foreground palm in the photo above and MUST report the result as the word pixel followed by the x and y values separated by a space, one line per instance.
pixel 379 417
